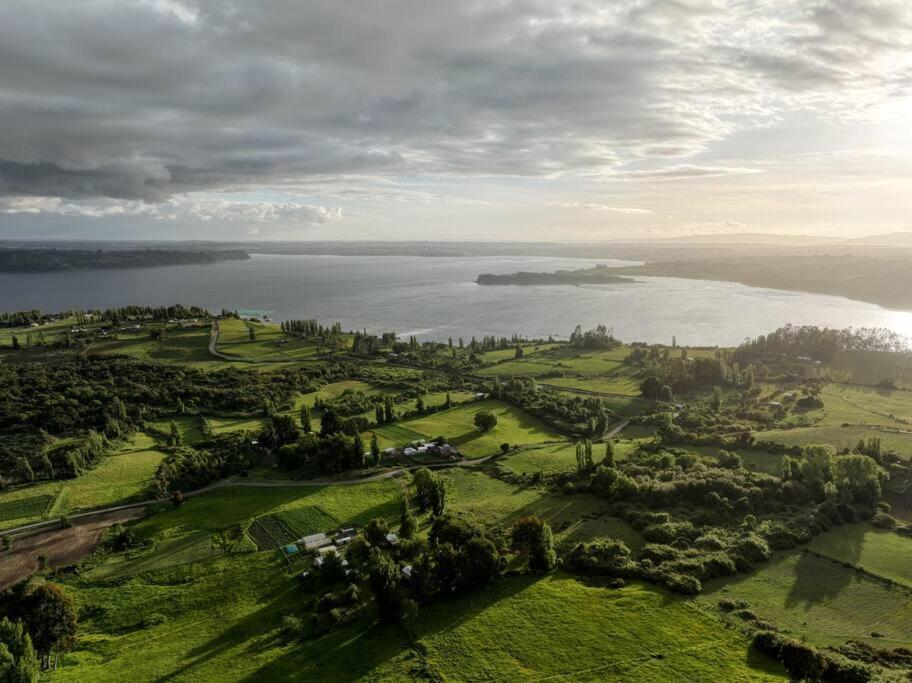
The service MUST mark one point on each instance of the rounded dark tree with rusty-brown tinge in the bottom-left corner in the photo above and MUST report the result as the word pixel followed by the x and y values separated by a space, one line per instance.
pixel 50 617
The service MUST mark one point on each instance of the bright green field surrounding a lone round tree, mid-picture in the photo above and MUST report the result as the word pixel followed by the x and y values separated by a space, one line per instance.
pixel 457 424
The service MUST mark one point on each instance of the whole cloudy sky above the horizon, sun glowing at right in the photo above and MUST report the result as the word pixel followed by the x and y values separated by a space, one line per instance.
pixel 441 120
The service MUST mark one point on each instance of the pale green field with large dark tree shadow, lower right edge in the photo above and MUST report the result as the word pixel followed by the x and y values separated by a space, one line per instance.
pixel 808 596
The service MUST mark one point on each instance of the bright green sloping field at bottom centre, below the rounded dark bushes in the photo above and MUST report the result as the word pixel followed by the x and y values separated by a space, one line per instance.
pixel 555 627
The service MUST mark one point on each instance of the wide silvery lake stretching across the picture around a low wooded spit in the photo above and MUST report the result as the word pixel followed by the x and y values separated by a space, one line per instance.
pixel 435 298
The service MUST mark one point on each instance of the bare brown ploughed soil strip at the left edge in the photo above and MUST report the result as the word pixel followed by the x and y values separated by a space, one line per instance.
pixel 62 546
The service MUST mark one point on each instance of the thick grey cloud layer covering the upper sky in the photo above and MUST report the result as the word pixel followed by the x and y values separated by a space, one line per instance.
pixel 144 100
